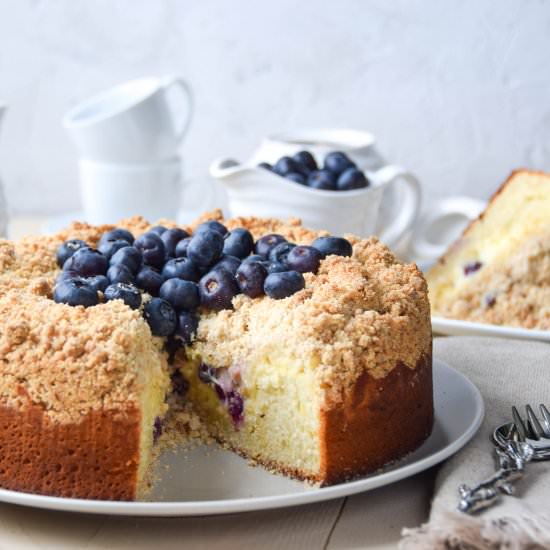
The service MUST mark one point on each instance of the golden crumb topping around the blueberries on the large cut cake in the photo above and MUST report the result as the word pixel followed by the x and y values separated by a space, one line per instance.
pixel 364 313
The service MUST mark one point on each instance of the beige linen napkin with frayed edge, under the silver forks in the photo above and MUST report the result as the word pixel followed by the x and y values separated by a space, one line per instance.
pixel 506 372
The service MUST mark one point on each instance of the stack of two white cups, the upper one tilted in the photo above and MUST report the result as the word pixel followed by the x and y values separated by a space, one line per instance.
pixel 128 139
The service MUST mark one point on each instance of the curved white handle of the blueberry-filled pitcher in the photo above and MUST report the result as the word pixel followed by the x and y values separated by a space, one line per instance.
pixel 410 206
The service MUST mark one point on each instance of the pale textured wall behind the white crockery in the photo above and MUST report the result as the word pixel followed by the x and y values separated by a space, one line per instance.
pixel 457 91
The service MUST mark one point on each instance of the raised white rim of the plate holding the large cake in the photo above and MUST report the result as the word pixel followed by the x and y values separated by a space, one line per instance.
pixel 237 505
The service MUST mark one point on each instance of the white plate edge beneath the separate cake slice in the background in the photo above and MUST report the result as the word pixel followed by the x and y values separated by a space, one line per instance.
pixel 452 327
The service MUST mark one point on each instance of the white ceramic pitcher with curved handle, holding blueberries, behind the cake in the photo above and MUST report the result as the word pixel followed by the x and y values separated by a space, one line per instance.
pixel 387 208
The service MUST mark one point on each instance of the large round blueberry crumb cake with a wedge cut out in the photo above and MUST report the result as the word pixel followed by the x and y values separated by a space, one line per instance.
pixel 306 353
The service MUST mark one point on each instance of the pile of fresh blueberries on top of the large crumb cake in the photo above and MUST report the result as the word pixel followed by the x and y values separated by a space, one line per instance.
pixel 184 273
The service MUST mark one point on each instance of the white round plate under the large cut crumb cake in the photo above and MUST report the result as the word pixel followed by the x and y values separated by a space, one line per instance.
pixel 209 480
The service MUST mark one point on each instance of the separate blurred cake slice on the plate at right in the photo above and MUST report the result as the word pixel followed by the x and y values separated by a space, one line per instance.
pixel 499 270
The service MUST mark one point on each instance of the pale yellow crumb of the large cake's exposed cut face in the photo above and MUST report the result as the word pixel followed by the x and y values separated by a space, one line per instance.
pixel 280 425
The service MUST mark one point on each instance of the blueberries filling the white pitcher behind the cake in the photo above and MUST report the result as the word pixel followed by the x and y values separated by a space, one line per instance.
pixel 338 173
